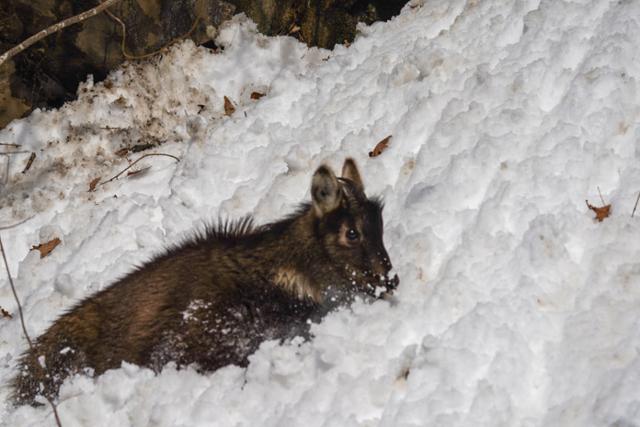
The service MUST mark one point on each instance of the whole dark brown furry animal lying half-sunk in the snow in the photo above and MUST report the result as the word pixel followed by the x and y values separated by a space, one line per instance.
pixel 211 300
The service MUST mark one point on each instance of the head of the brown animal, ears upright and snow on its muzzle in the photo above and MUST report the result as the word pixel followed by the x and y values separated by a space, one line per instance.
pixel 349 226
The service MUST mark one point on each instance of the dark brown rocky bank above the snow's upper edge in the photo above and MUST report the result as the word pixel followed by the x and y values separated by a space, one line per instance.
pixel 47 74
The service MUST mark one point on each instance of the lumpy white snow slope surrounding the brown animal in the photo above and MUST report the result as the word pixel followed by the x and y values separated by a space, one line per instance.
pixel 515 308
